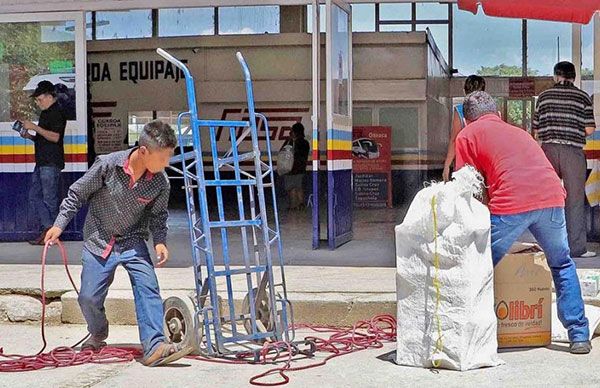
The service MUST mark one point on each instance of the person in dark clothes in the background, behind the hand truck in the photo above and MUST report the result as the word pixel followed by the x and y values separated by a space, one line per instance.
pixel 294 180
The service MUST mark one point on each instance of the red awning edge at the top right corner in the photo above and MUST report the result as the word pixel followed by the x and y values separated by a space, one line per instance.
pixel 572 11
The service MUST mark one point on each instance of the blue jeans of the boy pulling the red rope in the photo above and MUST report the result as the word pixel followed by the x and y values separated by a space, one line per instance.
pixel 97 275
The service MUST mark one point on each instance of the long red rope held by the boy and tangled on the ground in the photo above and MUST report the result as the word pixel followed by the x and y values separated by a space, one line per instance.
pixel 363 335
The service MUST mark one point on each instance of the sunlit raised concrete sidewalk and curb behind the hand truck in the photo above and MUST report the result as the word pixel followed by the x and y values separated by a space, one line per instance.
pixel 320 295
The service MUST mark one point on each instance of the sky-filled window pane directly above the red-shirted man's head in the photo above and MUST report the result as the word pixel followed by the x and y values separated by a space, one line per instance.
pixel 486 45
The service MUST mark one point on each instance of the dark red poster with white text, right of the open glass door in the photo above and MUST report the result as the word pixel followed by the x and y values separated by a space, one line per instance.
pixel 372 166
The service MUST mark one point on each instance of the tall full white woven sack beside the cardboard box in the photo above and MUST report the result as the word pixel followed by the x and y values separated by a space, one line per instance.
pixel 452 326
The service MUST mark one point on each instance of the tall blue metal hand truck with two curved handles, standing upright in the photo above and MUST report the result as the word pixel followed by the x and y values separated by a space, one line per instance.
pixel 210 321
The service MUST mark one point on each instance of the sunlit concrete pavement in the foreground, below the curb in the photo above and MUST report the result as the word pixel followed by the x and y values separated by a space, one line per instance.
pixel 539 367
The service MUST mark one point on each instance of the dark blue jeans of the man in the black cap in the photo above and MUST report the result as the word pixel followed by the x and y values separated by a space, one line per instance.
pixel 43 194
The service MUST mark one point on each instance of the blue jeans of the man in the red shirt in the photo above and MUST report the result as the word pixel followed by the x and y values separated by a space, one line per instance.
pixel 549 228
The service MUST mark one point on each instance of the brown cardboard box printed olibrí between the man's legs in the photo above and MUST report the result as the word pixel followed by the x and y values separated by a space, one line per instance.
pixel 523 298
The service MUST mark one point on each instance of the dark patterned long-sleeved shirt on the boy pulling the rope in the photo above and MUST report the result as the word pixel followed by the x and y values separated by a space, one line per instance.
pixel 121 211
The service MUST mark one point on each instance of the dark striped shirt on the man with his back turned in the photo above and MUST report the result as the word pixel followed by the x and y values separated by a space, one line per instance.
pixel 562 114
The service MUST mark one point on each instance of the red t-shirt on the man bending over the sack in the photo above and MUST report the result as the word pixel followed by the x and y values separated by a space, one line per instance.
pixel 517 173
